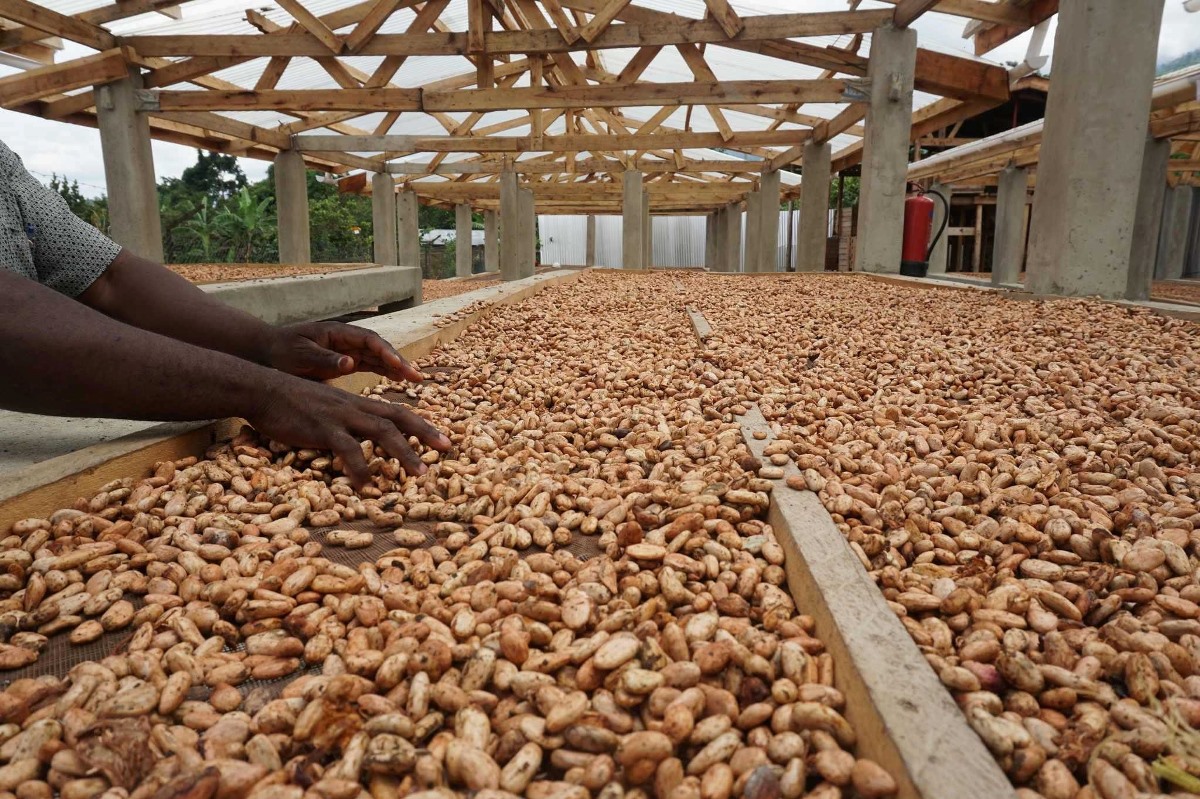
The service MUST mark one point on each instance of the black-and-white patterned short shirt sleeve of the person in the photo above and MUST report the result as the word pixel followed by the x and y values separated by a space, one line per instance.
pixel 69 254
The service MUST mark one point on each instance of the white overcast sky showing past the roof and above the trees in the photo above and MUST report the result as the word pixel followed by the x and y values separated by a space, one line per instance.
pixel 74 151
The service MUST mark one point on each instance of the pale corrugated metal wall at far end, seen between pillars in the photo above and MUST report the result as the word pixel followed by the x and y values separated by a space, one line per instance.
pixel 679 241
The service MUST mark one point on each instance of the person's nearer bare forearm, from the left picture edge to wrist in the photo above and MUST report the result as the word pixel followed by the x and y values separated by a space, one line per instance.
pixel 62 358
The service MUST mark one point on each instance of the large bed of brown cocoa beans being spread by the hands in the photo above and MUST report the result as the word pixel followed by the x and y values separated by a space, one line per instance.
pixel 1019 479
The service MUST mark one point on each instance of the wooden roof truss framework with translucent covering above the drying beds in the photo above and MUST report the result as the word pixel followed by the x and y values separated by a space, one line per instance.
pixel 562 92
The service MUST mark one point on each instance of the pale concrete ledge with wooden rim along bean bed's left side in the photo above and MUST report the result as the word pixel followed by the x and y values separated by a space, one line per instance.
pixel 40 453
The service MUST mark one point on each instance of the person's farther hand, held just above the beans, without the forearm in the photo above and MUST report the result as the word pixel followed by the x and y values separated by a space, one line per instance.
pixel 323 351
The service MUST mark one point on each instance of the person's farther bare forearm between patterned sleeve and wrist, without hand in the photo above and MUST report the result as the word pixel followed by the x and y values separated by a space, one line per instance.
pixel 148 296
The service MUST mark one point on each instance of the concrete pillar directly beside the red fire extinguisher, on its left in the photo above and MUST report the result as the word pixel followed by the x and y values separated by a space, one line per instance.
pixel 886 151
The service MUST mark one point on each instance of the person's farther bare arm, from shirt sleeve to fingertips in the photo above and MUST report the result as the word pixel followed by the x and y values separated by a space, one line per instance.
pixel 148 296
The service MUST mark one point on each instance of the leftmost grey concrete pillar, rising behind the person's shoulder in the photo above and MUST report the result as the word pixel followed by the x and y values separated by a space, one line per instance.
pixel 129 169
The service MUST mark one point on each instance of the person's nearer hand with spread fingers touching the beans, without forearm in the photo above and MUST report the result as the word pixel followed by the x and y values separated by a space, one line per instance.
pixel 307 414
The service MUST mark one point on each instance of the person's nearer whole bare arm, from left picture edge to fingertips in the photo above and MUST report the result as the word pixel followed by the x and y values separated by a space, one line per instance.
pixel 65 359
